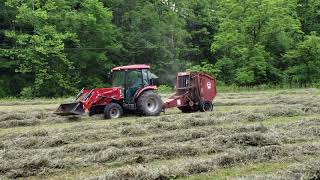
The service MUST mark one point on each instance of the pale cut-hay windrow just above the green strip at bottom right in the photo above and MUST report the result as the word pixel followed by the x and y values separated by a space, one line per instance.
pixel 193 166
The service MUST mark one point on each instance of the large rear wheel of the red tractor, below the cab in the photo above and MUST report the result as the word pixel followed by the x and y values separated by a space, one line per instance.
pixel 149 104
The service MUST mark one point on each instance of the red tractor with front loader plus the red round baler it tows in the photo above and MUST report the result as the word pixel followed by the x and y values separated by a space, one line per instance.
pixel 133 89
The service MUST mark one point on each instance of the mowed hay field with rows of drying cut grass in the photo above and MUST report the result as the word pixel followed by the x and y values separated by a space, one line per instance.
pixel 249 135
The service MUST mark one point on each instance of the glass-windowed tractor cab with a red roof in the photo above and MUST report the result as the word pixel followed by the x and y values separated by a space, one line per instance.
pixel 132 79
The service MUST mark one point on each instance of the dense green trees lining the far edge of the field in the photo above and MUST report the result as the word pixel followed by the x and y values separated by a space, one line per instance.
pixel 53 48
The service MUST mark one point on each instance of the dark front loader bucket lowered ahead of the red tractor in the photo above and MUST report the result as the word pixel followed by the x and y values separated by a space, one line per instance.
pixel 70 109
